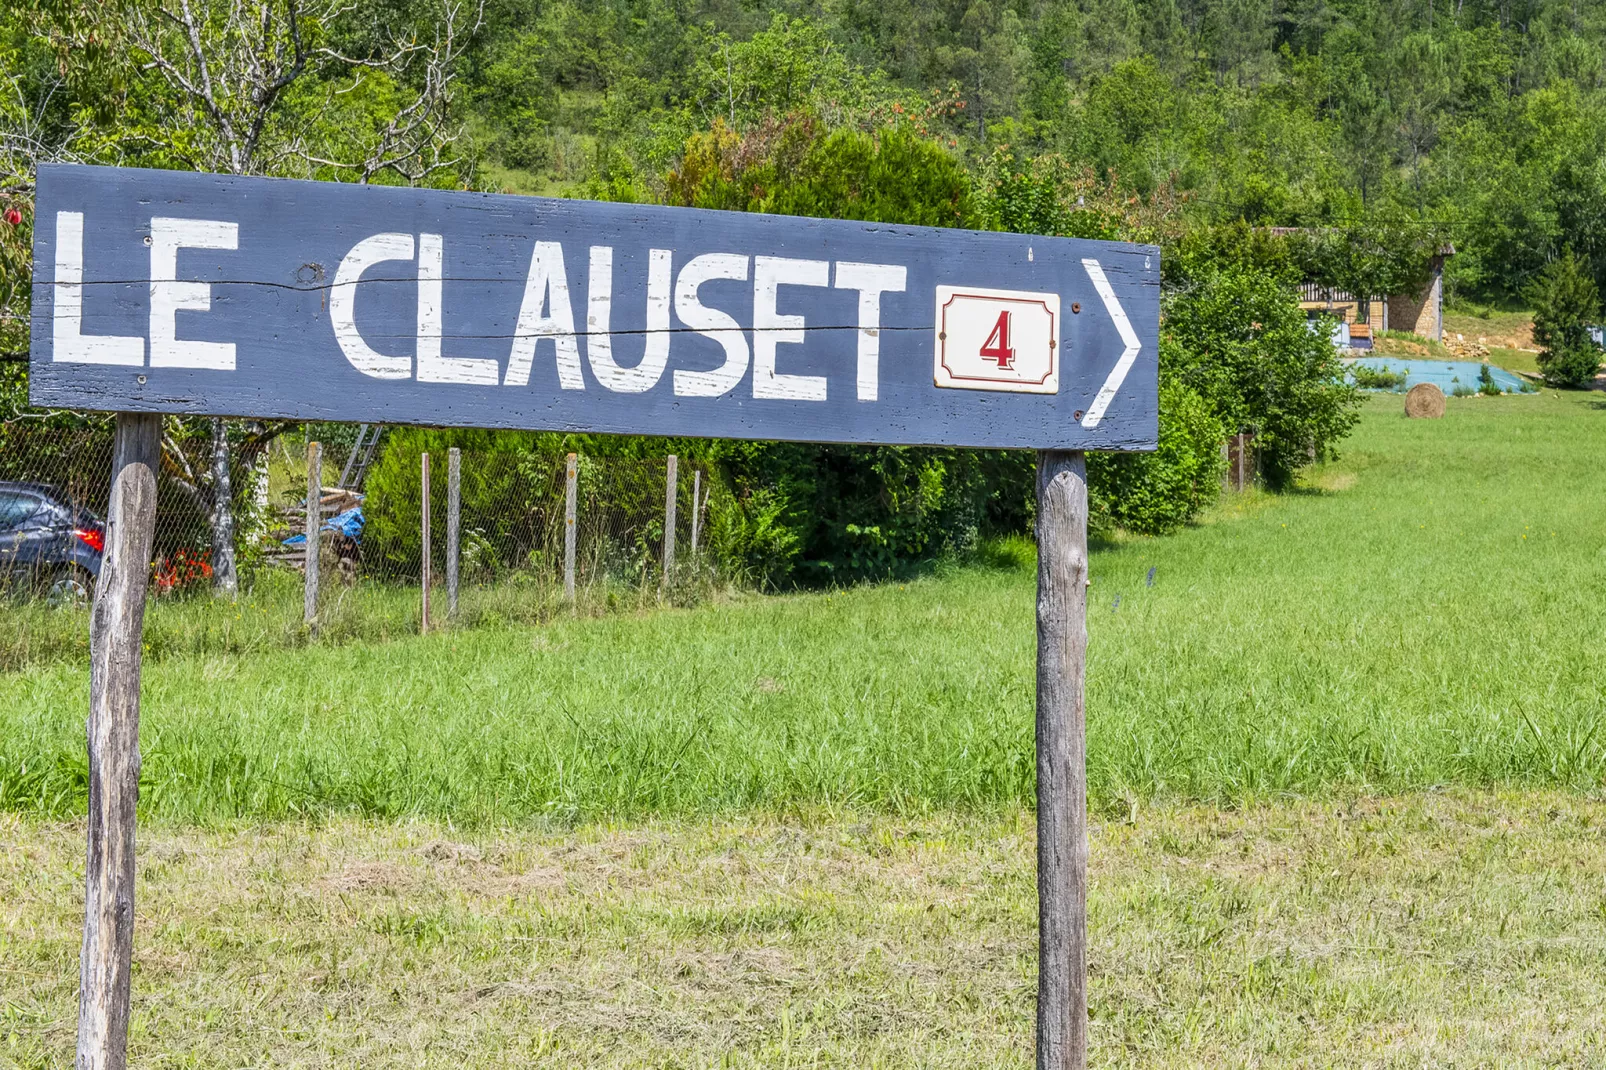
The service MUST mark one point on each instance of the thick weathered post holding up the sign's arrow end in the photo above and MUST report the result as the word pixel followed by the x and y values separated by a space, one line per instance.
pixel 1062 761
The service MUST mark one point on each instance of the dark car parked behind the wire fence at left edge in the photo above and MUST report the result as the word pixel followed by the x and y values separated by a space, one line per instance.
pixel 49 544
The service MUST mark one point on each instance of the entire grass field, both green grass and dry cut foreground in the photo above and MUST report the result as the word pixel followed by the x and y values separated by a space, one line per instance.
pixel 1345 758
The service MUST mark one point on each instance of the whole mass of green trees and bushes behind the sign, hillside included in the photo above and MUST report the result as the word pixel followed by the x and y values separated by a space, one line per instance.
pixel 1377 131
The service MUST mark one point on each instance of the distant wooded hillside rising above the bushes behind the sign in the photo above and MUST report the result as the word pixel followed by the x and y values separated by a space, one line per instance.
pixel 1482 120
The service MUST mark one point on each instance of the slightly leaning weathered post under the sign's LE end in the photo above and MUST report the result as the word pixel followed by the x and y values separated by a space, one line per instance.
pixel 116 627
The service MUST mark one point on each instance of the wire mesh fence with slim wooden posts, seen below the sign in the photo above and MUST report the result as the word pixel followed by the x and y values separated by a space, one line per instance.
pixel 508 536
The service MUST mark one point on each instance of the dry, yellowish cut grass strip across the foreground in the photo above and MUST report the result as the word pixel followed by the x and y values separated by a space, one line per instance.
pixel 1448 931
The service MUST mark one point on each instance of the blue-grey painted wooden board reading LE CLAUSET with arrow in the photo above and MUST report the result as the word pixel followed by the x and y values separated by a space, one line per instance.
pixel 211 295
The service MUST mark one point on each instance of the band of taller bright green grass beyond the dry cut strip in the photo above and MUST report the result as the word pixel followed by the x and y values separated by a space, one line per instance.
pixel 1425 613
